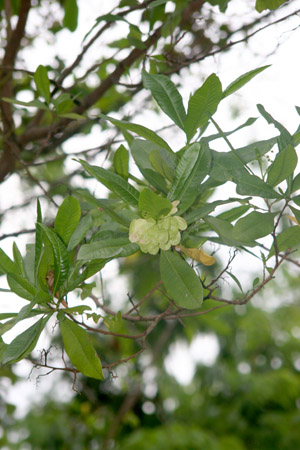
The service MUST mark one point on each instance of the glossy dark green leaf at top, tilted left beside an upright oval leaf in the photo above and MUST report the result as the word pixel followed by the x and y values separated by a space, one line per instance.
pixel 167 96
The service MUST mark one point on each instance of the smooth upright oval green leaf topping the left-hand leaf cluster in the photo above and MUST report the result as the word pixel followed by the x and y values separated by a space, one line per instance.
pixel 67 218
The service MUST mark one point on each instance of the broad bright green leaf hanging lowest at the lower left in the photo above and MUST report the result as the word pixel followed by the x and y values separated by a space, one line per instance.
pixel 79 349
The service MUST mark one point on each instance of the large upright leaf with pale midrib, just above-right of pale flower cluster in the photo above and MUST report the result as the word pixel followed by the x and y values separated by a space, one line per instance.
pixel 192 168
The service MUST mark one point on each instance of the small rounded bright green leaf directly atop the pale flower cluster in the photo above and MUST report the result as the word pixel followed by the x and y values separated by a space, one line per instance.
pixel 152 205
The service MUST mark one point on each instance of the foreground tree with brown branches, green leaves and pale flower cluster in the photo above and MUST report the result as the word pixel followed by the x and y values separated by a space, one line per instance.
pixel 160 218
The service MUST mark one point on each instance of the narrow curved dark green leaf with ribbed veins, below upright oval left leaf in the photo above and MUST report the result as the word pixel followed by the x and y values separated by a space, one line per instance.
pixel 60 255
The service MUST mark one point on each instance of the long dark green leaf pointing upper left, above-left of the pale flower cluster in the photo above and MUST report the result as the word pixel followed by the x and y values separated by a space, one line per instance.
pixel 114 183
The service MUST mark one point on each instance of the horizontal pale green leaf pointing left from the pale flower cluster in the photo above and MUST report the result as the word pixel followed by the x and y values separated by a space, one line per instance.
pixel 107 248
